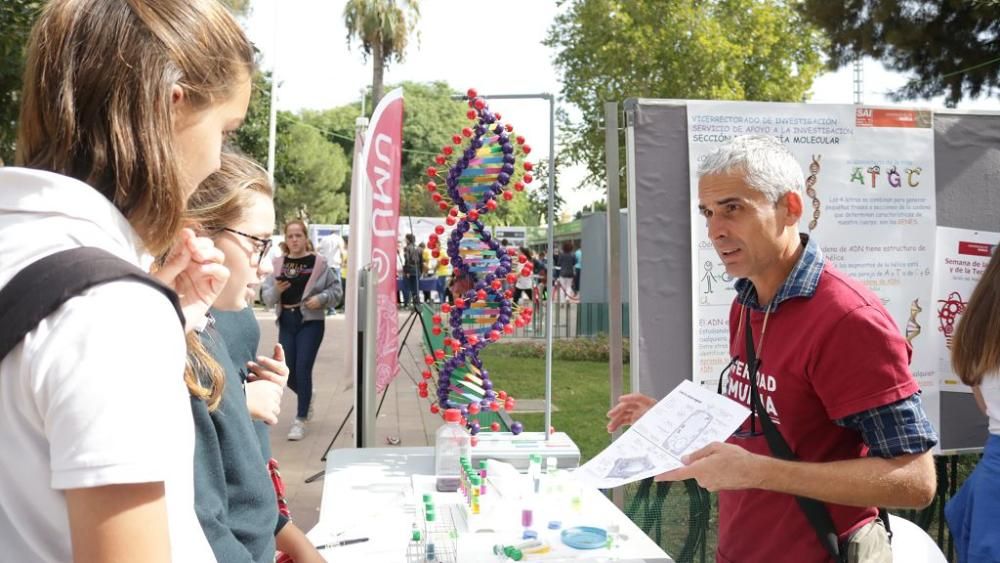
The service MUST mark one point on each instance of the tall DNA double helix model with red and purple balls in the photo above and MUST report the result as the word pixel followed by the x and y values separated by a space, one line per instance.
pixel 485 163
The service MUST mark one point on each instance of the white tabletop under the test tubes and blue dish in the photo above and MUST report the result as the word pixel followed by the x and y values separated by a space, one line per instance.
pixel 370 493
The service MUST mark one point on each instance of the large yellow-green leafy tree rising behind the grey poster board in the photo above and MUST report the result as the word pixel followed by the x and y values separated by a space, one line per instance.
pixel 609 50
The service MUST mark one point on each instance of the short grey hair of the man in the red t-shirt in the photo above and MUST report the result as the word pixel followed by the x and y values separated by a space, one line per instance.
pixel 765 164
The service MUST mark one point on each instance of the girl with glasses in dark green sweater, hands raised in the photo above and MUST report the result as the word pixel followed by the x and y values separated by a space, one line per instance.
pixel 234 495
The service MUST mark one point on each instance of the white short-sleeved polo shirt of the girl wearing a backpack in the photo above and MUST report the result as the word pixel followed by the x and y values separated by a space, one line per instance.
pixel 95 394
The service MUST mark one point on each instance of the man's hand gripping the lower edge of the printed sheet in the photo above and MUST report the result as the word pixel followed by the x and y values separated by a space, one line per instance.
pixel 719 467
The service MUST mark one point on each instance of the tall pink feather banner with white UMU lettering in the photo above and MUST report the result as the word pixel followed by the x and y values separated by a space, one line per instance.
pixel 383 145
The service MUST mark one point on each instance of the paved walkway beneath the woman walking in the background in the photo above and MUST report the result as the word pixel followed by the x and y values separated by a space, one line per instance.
pixel 404 415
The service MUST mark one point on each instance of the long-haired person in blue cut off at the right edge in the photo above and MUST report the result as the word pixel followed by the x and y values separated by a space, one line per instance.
pixel 973 513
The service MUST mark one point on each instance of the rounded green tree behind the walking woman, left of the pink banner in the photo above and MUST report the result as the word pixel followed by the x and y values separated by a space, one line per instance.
pixel 310 174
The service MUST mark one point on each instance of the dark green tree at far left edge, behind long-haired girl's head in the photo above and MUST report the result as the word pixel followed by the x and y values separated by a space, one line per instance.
pixel 16 19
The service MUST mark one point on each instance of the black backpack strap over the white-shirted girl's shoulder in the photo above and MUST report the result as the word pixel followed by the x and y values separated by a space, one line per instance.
pixel 43 286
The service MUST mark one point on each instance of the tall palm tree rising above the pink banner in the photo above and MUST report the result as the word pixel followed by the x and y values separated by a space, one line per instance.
pixel 382 27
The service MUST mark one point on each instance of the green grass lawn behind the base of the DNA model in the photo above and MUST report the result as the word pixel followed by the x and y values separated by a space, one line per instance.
pixel 580 390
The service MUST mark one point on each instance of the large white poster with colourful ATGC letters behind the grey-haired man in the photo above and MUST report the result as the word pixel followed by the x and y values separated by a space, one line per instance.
pixel 869 202
